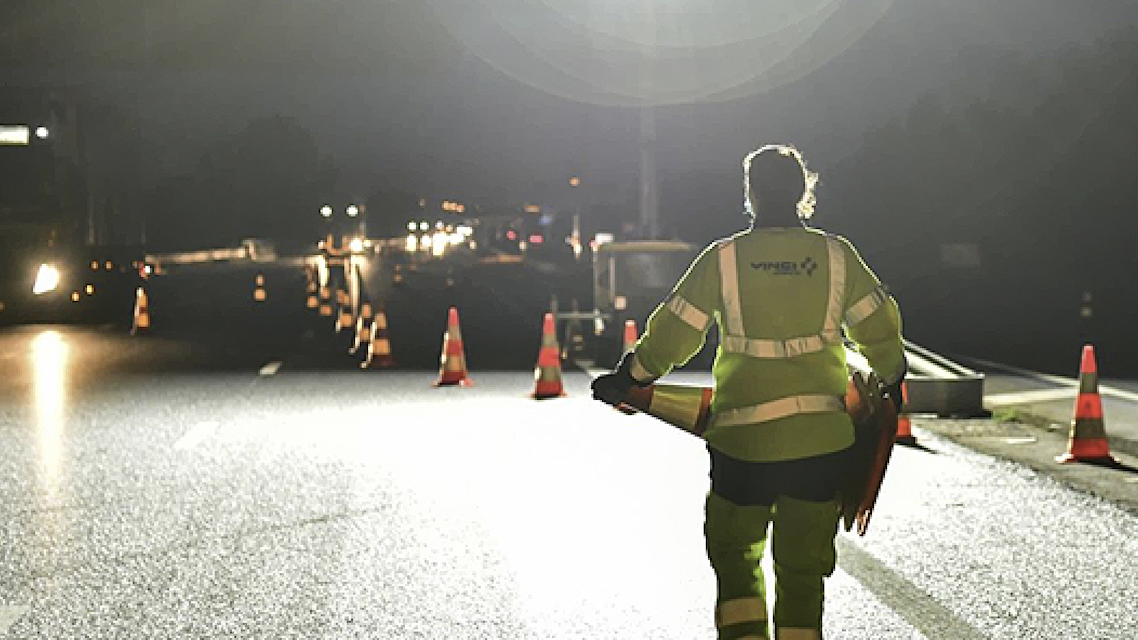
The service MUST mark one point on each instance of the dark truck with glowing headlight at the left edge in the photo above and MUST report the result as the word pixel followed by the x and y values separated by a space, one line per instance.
pixel 51 269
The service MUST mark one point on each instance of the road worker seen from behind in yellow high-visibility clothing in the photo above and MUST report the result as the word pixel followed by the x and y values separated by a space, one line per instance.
pixel 784 297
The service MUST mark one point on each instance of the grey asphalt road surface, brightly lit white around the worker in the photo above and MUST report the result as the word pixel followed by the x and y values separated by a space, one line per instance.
pixel 243 486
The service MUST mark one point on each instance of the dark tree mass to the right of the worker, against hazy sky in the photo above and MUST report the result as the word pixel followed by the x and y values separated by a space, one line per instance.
pixel 1007 225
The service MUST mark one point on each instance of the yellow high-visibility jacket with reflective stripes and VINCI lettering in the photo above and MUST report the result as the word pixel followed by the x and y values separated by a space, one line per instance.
pixel 782 299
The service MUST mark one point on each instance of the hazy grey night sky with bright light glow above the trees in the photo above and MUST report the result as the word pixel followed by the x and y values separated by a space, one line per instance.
pixel 485 100
